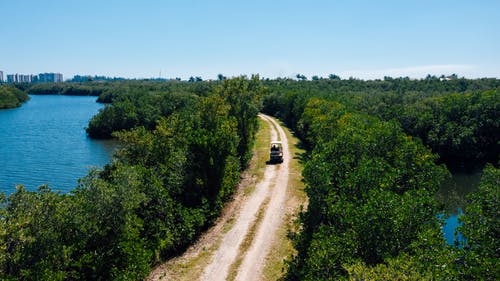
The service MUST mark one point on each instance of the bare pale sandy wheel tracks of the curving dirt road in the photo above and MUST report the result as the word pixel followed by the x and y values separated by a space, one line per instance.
pixel 273 186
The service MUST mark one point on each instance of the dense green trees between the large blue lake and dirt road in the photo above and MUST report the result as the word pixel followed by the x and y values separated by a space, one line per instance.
pixel 165 186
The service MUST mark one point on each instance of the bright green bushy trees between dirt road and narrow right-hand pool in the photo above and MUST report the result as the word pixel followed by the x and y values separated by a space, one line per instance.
pixel 370 191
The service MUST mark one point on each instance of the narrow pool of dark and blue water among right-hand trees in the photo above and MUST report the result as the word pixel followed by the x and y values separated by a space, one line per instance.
pixel 453 195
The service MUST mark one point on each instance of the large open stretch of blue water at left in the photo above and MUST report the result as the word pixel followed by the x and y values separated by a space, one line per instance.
pixel 44 142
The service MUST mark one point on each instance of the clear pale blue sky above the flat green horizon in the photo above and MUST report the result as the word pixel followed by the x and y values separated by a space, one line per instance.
pixel 275 38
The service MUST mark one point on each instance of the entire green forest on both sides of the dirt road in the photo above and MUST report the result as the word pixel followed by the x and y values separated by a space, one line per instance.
pixel 377 151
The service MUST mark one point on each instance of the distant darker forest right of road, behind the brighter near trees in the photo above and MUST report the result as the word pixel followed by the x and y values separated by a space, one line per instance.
pixel 457 119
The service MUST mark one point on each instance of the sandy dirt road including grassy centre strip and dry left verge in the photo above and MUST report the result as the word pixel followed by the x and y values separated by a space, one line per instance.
pixel 257 217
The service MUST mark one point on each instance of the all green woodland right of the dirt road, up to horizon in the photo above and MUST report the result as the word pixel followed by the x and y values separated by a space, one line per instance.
pixel 372 213
